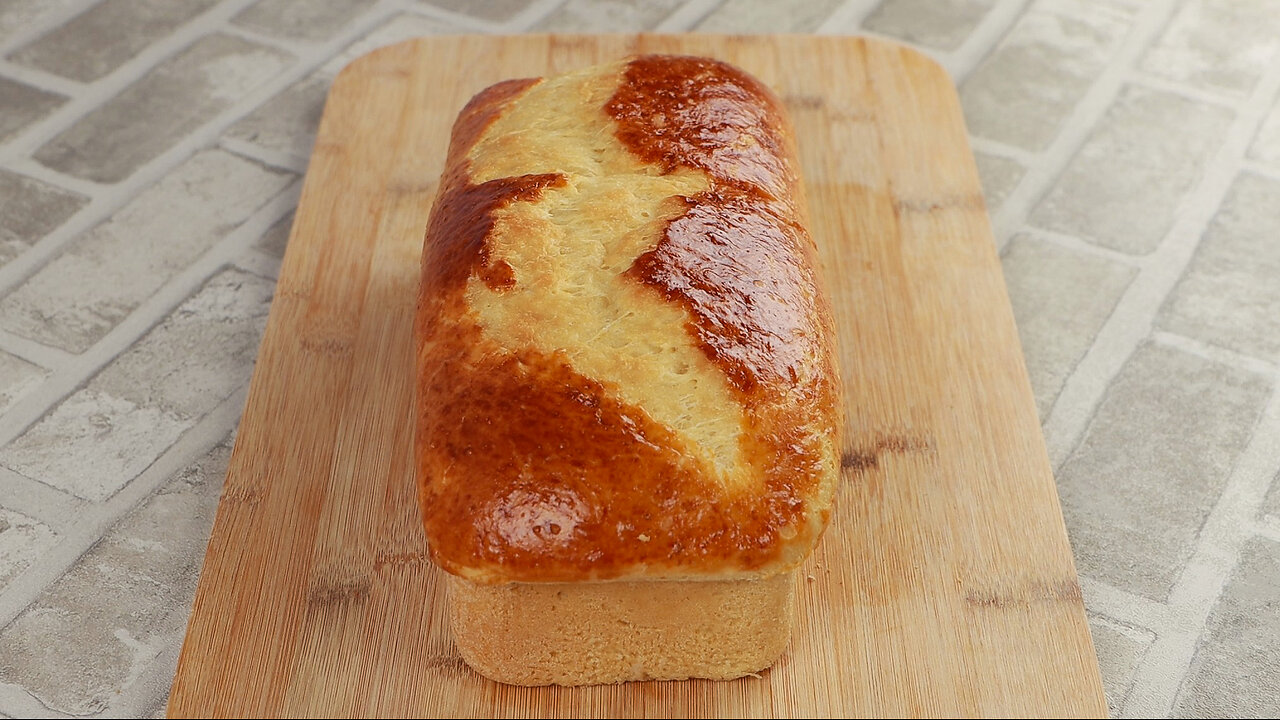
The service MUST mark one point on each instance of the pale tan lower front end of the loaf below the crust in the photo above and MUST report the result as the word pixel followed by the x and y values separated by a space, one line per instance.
pixel 598 634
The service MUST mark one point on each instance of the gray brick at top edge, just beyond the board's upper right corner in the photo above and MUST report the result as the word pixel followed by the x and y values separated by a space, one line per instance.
pixel 935 24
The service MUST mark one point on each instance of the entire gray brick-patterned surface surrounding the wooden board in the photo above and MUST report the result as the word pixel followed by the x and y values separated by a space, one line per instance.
pixel 150 161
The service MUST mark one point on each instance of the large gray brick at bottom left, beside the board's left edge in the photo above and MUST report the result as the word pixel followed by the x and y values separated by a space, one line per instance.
pixel 97 630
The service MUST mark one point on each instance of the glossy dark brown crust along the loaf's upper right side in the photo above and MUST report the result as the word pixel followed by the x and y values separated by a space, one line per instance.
pixel 740 259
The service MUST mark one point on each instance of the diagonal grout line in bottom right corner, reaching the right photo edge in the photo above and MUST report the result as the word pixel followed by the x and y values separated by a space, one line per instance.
pixel 1159 678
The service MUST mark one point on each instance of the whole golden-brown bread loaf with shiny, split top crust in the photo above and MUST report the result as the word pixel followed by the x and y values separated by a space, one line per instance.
pixel 628 395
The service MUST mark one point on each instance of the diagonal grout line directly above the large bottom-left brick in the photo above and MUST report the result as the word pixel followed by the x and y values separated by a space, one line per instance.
pixel 97 521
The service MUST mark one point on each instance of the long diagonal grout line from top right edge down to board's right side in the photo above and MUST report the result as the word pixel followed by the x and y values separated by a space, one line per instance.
pixel 1077 127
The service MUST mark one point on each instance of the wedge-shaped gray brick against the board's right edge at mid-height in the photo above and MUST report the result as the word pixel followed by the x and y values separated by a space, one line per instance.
pixel 1060 302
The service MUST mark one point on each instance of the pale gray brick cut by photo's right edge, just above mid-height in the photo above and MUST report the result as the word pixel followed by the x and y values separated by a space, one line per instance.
pixel 1231 293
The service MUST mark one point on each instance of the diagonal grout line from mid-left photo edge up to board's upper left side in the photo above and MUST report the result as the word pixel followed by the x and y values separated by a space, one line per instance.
pixel 76 372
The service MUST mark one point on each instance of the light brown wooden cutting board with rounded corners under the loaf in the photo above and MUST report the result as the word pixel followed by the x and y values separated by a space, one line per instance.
pixel 945 585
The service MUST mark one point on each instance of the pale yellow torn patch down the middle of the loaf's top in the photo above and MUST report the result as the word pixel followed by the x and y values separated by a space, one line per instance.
pixel 570 294
